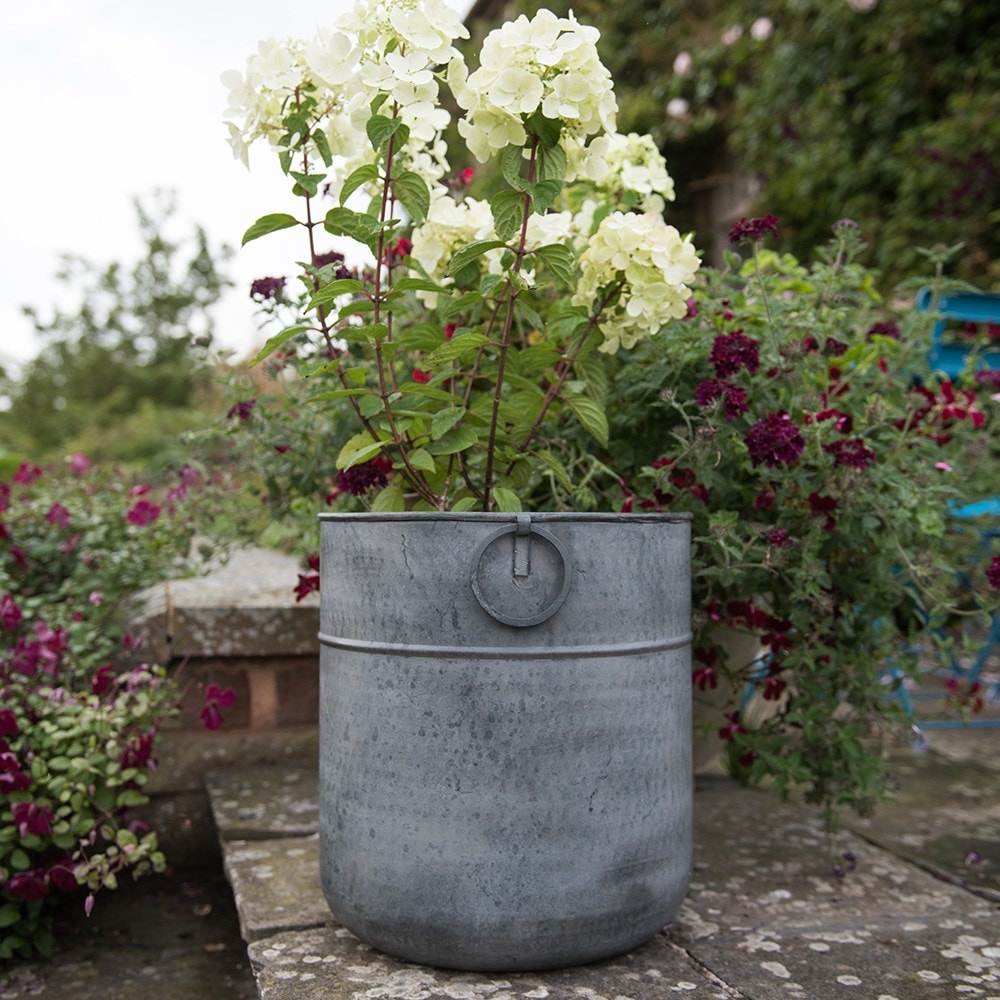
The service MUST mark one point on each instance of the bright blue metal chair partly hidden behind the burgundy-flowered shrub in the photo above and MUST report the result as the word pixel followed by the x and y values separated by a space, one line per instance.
pixel 952 358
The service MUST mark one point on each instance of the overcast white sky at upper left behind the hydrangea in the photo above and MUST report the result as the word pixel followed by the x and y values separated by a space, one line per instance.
pixel 105 100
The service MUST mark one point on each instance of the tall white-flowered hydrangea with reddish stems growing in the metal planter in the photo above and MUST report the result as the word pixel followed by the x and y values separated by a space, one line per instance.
pixel 478 330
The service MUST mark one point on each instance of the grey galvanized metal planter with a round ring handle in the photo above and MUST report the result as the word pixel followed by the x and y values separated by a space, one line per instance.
pixel 505 733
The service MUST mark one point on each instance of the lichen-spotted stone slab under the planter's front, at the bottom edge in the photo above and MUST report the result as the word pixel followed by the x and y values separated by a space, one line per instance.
pixel 330 963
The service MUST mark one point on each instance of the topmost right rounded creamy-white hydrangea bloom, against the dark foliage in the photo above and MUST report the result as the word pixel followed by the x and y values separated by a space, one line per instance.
pixel 547 64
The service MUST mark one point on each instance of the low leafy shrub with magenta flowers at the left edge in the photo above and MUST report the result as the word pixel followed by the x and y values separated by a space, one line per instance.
pixel 79 717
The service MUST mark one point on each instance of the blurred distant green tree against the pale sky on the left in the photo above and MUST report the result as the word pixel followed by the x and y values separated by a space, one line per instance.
pixel 121 374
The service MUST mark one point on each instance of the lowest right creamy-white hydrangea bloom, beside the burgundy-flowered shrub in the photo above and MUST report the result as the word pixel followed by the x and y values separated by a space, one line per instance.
pixel 653 264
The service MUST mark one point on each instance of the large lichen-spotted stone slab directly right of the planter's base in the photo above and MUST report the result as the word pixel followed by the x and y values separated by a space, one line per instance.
pixel 766 914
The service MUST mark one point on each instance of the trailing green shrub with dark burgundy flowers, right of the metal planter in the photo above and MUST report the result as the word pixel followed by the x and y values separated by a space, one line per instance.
pixel 793 414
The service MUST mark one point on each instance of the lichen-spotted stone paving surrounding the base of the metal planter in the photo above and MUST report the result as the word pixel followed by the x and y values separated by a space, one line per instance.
pixel 914 916
